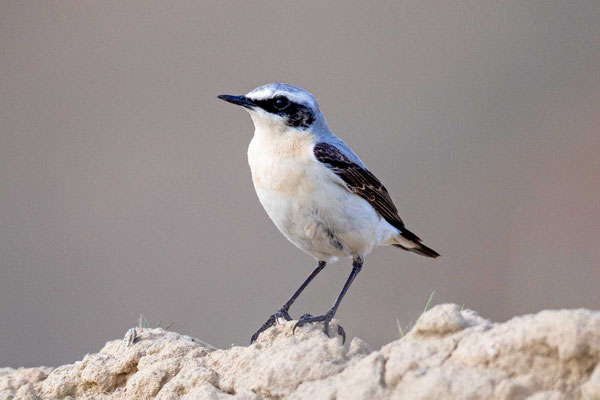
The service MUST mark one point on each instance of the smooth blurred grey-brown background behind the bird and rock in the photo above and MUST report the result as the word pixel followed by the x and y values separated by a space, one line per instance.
pixel 124 185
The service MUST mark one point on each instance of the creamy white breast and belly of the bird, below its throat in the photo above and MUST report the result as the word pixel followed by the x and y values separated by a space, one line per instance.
pixel 307 202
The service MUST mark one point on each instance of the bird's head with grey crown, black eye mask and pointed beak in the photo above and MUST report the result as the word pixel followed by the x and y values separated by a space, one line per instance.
pixel 280 107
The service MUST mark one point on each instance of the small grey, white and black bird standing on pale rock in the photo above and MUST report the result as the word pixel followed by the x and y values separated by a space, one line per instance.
pixel 316 190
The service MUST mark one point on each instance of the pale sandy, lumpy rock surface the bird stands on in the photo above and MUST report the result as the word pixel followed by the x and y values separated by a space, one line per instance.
pixel 450 353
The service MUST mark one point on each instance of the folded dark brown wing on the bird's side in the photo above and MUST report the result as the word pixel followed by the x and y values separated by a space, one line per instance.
pixel 360 181
